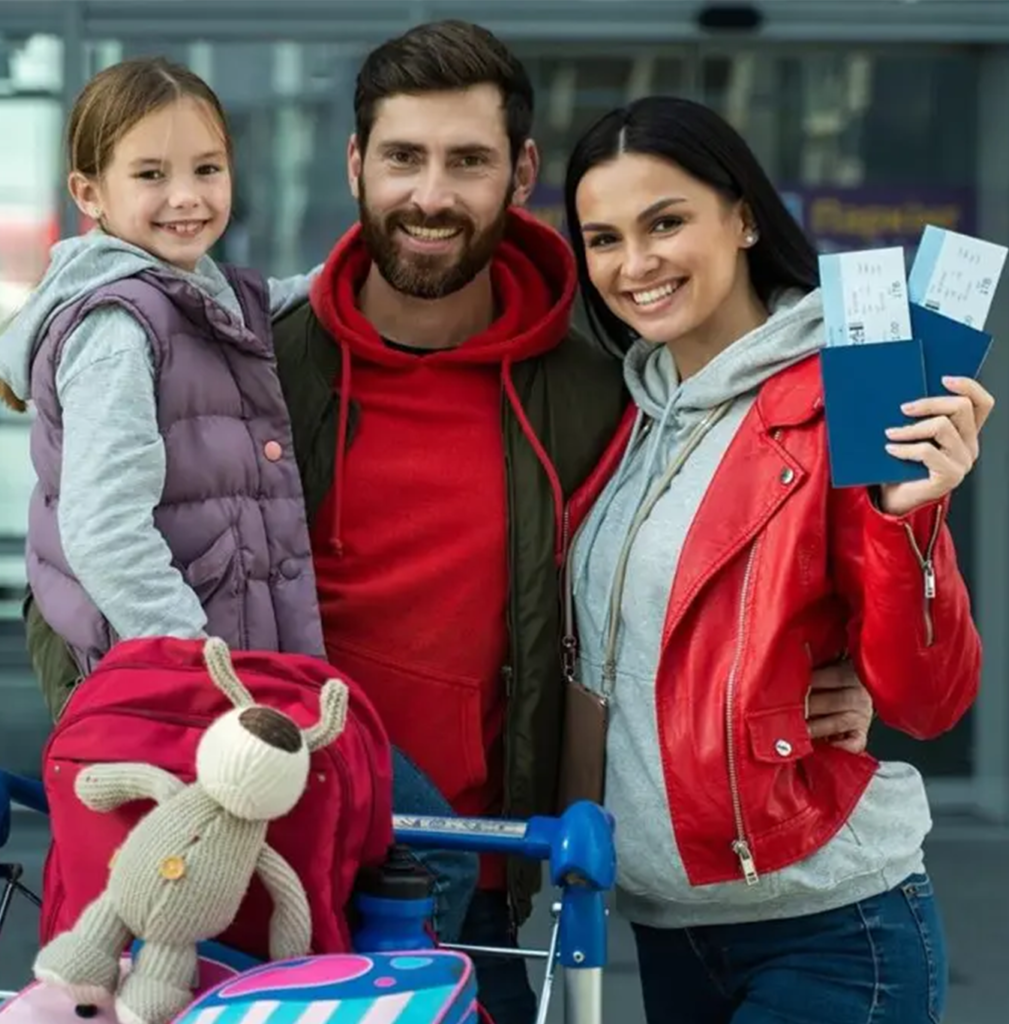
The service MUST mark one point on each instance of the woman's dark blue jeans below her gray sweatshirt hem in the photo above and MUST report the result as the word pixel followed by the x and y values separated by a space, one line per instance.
pixel 878 962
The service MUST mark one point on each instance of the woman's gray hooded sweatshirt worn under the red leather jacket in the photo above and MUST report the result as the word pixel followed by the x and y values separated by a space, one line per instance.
pixel 880 845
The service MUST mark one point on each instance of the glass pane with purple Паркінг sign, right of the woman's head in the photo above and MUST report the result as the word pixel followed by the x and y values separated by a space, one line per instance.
pixel 866 150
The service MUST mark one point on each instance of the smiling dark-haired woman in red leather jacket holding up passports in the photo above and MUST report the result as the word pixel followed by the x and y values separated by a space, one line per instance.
pixel 769 878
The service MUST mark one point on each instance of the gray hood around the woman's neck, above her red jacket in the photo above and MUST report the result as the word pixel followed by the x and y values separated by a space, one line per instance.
pixel 793 331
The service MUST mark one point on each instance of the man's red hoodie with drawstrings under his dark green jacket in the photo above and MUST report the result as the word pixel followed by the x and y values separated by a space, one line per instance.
pixel 411 546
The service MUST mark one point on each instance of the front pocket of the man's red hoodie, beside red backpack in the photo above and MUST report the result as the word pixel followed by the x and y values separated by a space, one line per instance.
pixel 434 718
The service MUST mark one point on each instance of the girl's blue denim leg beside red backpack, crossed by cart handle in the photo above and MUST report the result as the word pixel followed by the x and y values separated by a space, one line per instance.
pixel 454 874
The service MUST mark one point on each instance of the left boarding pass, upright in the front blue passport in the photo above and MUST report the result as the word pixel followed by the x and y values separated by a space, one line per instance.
pixel 865 297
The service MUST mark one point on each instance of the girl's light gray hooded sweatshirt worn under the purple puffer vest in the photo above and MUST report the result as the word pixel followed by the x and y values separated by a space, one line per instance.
pixel 106 387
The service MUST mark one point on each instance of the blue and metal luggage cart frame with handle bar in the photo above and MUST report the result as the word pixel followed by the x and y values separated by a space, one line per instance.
pixel 578 847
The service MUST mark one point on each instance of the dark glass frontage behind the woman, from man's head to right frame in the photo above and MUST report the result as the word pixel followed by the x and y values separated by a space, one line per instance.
pixel 868 149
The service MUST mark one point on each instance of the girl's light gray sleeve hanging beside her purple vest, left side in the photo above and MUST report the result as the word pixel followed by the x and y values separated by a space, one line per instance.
pixel 113 479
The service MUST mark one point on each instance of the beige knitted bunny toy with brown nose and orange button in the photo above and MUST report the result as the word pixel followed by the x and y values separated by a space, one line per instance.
pixel 183 873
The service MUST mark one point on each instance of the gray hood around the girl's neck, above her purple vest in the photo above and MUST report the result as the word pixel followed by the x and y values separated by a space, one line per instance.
pixel 78 267
